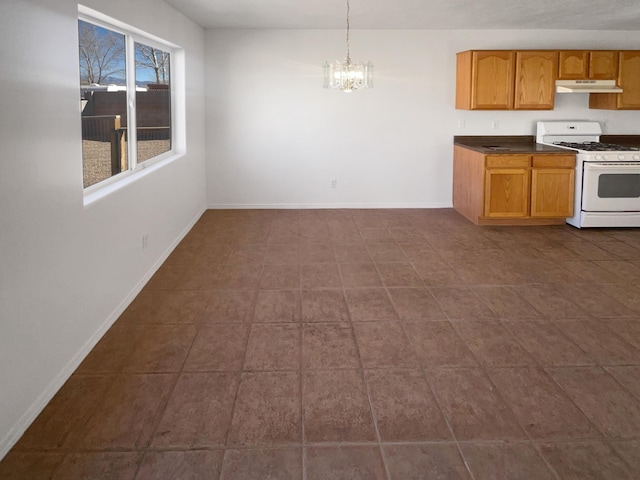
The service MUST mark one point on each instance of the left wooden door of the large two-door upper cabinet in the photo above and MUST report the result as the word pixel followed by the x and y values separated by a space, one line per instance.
pixel 492 80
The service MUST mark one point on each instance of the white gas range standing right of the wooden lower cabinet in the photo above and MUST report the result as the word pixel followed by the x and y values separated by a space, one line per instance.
pixel 607 190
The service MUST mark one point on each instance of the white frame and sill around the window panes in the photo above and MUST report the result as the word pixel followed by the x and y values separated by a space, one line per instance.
pixel 132 36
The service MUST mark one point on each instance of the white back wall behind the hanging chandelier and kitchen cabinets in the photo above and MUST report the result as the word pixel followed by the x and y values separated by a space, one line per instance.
pixel 275 137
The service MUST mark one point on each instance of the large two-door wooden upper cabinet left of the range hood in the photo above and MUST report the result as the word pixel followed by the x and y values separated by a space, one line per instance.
pixel 506 79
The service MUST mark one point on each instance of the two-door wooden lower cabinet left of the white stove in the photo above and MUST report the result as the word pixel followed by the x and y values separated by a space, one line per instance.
pixel 513 189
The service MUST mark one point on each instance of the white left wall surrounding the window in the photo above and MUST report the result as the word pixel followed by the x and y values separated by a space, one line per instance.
pixel 67 271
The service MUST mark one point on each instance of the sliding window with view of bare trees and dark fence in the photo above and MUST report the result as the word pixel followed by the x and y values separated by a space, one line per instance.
pixel 126 100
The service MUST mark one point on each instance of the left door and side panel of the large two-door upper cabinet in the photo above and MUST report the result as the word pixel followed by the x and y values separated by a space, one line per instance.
pixel 484 80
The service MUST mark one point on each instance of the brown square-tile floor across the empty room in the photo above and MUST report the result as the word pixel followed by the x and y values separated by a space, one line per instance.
pixel 361 345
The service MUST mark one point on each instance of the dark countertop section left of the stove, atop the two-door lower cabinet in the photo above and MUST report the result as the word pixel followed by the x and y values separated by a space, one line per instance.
pixel 507 144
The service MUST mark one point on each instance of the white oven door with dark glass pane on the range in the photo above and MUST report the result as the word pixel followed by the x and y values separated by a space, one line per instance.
pixel 611 187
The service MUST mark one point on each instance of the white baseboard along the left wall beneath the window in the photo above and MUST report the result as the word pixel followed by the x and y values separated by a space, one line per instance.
pixel 36 407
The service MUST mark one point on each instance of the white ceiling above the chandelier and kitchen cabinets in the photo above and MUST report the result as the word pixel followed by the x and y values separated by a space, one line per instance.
pixel 415 14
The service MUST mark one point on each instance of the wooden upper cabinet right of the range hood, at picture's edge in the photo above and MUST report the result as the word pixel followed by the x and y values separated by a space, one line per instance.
pixel 628 75
